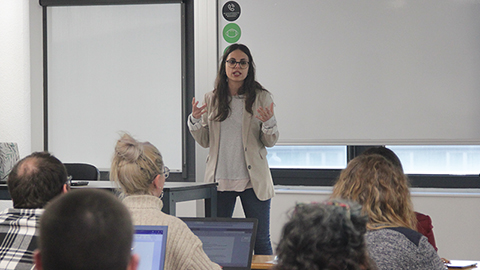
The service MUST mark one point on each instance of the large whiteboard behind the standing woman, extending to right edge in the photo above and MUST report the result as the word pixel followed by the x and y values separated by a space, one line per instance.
pixel 366 72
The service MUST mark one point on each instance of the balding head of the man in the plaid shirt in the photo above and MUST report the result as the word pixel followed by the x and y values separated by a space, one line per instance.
pixel 36 179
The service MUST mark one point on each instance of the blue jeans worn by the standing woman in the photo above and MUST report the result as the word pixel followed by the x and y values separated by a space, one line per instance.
pixel 253 208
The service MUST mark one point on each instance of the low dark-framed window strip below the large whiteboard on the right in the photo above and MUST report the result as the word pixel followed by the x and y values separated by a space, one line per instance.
pixel 439 166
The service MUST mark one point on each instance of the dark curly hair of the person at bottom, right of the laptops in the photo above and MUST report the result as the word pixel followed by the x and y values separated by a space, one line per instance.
pixel 329 236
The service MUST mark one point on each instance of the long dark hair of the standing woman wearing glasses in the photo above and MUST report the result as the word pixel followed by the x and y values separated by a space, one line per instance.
pixel 222 94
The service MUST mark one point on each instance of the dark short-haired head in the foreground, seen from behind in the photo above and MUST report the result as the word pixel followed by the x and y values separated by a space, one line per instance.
pixel 86 229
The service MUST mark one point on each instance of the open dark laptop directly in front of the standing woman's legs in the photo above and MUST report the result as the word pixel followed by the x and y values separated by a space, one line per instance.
pixel 228 242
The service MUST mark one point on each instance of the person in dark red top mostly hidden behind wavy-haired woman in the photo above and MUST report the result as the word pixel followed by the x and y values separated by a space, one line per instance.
pixel 424 222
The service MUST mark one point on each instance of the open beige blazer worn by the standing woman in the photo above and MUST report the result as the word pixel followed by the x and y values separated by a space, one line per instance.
pixel 254 143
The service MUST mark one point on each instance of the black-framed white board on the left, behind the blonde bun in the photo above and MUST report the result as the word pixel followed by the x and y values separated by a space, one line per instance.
pixel 114 68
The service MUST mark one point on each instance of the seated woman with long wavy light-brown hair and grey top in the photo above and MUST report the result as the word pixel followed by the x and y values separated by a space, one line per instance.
pixel 383 191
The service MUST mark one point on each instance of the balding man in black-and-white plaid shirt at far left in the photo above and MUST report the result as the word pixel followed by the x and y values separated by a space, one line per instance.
pixel 32 183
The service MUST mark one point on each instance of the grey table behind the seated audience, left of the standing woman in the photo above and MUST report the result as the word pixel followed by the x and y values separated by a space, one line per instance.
pixel 173 192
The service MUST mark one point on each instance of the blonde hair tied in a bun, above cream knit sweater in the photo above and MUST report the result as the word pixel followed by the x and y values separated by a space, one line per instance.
pixel 135 164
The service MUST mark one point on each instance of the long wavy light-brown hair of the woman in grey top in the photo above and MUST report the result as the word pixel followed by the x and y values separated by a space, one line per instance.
pixel 381 188
